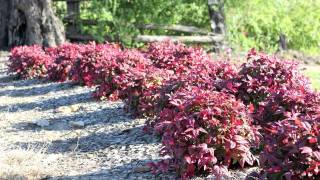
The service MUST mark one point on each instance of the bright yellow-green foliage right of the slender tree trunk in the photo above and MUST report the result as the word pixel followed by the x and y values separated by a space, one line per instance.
pixel 258 23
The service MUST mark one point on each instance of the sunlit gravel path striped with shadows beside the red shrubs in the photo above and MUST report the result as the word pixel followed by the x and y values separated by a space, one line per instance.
pixel 62 133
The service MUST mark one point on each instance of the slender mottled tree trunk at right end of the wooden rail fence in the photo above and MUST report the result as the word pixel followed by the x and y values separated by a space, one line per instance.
pixel 217 20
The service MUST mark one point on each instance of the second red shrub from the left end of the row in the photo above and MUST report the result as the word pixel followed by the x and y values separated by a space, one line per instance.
pixel 64 57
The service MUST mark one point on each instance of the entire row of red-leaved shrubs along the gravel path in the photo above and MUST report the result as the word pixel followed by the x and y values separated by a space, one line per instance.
pixel 212 115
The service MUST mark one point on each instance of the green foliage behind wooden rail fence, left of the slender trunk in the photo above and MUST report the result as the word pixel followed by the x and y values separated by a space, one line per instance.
pixel 119 19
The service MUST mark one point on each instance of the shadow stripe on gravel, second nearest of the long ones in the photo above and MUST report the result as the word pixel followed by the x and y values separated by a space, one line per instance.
pixel 108 115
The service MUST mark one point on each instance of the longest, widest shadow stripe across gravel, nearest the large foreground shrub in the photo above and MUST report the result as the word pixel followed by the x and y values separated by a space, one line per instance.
pixel 95 141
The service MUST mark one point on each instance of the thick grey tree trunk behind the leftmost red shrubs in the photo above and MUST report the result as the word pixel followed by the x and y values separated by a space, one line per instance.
pixel 28 22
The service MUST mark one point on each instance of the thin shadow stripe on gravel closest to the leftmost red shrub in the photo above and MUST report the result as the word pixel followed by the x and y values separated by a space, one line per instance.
pixel 35 91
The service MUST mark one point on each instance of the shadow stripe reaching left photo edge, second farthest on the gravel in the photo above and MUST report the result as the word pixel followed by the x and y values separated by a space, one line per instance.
pixel 50 103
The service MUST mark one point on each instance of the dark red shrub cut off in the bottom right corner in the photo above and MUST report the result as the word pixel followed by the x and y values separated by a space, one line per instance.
pixel 292 148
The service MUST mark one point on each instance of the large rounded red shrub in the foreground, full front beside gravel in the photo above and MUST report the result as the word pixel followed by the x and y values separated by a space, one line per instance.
pixel 205 132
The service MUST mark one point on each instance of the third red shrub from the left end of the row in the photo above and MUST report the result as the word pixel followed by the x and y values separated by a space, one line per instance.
pixel 93 67
